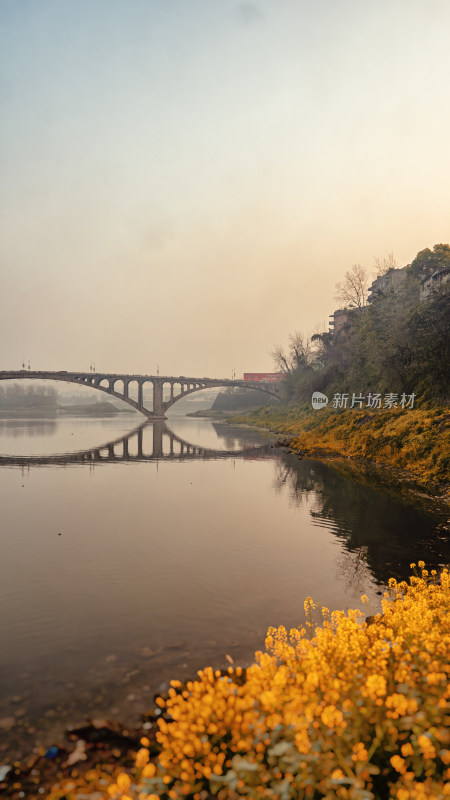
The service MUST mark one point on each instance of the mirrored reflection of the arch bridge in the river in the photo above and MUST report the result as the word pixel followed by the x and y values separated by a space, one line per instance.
pixel 148 442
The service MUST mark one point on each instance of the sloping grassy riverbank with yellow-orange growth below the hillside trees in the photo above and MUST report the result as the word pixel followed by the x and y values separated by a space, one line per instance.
pixel 412 443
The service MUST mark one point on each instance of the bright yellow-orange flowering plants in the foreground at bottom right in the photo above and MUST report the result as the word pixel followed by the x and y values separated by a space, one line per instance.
pixel 346 710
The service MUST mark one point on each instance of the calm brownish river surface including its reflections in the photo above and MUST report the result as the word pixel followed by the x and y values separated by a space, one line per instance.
pixel 127 560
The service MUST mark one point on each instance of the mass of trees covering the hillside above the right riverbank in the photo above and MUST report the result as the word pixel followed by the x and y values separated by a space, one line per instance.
pixel 399 344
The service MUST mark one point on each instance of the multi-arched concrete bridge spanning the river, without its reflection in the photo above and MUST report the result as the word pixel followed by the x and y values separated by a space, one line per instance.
pixel 118 385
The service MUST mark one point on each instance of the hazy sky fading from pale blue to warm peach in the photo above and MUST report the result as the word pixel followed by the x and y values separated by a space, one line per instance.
pixel 182 182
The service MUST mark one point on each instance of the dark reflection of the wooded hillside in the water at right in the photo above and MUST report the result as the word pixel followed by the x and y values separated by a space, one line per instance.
pixel 378 529
